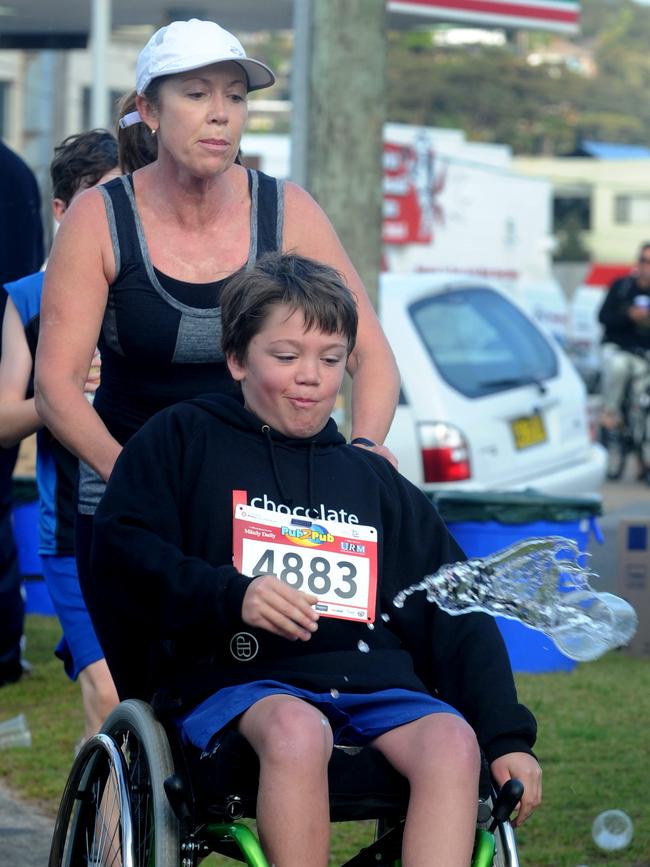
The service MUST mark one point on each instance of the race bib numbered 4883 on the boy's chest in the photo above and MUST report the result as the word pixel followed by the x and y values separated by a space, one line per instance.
pixel 334 561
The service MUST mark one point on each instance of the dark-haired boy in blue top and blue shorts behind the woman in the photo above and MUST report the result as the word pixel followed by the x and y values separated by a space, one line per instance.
pixel 80 162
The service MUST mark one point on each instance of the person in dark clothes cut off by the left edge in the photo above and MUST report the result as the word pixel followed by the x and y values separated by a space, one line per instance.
pixel 21 253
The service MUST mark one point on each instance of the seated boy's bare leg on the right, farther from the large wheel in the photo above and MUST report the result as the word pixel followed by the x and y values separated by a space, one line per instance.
pixel 439 756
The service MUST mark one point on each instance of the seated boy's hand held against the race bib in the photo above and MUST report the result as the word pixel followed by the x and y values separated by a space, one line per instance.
pixel 272 605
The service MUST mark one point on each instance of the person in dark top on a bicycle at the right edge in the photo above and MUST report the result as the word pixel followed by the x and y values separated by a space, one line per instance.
pixel 625 316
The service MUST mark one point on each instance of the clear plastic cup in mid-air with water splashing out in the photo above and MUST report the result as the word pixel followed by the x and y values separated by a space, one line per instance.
pixel 540 583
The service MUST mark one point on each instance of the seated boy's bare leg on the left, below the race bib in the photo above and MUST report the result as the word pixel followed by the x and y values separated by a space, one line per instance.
pixel 294 743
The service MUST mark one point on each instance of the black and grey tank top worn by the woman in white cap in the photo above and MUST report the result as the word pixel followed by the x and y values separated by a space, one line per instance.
pixel 161 338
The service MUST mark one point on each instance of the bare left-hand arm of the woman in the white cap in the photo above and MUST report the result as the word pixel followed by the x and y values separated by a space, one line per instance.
pixel 78 274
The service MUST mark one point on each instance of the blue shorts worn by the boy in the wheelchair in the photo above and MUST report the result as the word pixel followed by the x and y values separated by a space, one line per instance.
pixel 356 718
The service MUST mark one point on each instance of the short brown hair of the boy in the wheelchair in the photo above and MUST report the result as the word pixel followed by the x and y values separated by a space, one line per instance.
pixel 317 290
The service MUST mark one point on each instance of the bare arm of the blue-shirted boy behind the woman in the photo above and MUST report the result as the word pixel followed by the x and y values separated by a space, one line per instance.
pixel 18 416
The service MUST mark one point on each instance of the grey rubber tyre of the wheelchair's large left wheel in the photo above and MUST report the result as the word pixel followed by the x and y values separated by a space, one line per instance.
pixel 147 756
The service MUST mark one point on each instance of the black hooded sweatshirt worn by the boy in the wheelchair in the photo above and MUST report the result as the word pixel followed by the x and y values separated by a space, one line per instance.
pixel 166 600
